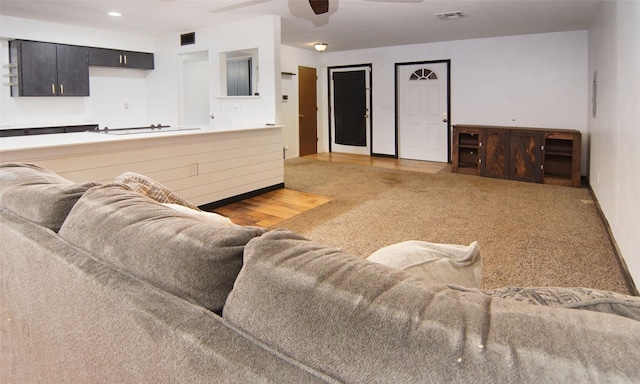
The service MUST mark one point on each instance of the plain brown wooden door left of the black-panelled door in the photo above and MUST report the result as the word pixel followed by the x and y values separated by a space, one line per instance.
pixel 308 111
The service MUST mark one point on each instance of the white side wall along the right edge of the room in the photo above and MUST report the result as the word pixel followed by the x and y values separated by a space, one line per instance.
pixel 614 52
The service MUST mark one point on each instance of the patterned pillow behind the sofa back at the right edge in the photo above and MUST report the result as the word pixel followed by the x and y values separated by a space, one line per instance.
pixel 577 298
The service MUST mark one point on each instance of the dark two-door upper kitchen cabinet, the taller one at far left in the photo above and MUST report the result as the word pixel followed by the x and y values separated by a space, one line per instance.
pixel 47 69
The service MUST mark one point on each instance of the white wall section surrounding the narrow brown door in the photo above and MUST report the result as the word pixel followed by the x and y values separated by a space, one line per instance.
pixel 291 59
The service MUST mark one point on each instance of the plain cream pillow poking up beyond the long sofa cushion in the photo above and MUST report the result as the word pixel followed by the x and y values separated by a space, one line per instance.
pixel 443 263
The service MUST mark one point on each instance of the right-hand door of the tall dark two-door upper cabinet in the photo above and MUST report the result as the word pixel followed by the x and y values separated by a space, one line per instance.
pixel 73 71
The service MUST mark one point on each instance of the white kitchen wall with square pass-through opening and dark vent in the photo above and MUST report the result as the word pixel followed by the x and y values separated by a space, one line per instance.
pixel 162 91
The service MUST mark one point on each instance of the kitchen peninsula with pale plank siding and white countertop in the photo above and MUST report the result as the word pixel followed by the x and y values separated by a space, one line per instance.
pixel 203 165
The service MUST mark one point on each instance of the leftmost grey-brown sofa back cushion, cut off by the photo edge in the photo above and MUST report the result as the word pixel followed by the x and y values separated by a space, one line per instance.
pixel 37 194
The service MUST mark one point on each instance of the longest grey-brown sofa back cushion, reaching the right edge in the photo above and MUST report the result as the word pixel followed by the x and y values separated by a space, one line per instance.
pixel 364 322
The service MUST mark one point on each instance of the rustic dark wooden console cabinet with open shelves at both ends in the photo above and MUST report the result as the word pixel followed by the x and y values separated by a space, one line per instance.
pixel 537 155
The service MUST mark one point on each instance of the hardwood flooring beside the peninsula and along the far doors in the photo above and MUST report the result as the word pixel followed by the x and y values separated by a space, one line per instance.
pixel 273 207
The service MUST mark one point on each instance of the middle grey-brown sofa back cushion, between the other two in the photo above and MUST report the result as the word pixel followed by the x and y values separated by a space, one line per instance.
pixel 188 257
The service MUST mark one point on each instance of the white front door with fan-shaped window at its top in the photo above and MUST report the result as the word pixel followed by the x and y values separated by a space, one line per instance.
pixel 422 112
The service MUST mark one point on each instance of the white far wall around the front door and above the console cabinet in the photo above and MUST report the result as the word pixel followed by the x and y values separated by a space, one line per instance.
pixel 530 81
